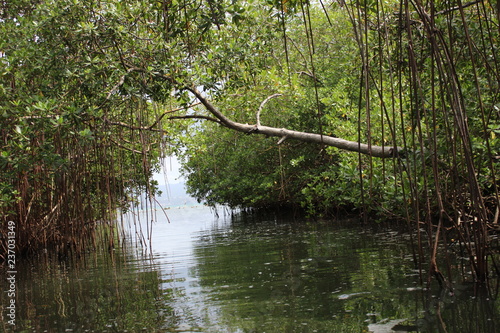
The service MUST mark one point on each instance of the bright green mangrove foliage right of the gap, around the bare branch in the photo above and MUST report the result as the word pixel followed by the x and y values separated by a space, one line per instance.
pixel 361 72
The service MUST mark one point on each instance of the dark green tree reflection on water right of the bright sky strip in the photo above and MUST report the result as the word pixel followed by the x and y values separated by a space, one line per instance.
pixel 299 278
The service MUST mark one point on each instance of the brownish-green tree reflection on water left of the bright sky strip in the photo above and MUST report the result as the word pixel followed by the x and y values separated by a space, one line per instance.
pixel 102 293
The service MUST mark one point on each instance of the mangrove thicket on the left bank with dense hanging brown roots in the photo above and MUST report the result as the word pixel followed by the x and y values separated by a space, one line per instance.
pixel 73 115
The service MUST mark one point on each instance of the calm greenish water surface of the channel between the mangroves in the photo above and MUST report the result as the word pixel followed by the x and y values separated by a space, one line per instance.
pixel 202 273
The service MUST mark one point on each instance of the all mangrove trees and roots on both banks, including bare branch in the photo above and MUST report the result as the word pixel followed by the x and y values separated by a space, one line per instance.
pixel 311 110
